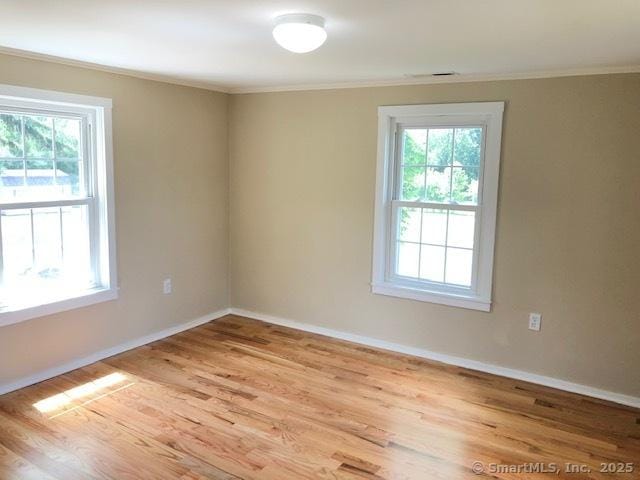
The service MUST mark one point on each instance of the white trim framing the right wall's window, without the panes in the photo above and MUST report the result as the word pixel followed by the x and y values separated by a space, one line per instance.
pixel 489 114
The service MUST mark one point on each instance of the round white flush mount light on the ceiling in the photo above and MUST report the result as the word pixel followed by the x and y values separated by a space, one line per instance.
pixel 299 32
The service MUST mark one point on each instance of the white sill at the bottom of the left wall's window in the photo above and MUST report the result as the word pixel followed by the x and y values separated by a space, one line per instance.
pixel 10 314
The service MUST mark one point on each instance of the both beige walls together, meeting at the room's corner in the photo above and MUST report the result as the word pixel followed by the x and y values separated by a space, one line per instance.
pixel 299 175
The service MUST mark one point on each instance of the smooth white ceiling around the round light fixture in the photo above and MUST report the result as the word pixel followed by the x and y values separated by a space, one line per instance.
pixel 228 43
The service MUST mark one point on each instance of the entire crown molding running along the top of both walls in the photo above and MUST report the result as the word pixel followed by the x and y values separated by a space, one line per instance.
pixel 427 80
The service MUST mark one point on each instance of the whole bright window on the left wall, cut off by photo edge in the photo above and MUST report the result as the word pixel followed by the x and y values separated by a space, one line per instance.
pixel 57 242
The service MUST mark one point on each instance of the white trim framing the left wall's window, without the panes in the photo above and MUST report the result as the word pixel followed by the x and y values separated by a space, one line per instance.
pixel 100 111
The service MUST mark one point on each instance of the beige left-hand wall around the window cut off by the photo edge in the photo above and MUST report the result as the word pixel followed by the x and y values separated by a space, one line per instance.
pixel 170 158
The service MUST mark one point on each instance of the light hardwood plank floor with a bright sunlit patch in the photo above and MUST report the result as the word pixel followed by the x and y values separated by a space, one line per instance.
pixel 239 398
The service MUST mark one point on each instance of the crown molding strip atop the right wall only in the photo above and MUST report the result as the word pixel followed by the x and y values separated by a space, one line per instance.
pixel 428 80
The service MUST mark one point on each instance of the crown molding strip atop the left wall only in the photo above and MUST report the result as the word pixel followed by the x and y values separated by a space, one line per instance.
pixel 116 70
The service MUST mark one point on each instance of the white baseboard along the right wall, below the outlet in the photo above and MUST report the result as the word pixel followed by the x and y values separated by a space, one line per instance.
pixel 449 359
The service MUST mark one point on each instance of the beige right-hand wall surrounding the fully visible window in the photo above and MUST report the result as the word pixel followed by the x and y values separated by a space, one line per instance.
pixel 302 167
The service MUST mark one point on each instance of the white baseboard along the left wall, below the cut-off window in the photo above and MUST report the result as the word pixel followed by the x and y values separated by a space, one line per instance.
pixel 109 352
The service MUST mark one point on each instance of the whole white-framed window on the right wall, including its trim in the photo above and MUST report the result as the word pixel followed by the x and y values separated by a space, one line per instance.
pixel 436 199
